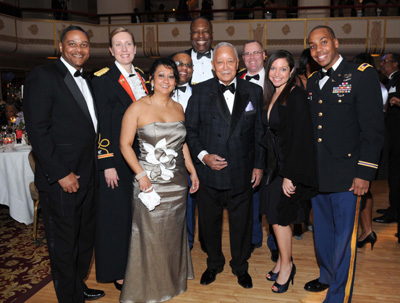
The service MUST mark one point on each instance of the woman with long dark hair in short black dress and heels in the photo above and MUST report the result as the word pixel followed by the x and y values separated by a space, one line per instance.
pixel 290 177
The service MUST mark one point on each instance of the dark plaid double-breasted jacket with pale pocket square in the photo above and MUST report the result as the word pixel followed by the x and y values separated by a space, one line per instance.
pixel 235 137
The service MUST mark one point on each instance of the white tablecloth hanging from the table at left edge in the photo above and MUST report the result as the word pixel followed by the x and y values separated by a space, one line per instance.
pixel 15 176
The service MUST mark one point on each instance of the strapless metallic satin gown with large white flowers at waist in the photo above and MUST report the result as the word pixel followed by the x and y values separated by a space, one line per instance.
pixel 160 263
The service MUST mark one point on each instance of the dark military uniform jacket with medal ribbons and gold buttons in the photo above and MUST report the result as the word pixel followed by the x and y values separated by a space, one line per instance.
pixel 348 125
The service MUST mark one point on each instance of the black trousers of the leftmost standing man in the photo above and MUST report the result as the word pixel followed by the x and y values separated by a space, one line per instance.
pixel 69 221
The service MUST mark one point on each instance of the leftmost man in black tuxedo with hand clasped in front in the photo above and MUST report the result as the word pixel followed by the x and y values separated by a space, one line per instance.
pixel 61 121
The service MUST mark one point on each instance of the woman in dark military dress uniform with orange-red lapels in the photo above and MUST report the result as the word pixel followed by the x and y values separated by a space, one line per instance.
pixel 115 89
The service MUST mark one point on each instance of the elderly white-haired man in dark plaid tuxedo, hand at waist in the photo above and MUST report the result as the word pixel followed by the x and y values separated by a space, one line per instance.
pixel 223 133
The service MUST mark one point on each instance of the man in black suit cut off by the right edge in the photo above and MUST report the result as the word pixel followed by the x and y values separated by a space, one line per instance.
pixel 390 68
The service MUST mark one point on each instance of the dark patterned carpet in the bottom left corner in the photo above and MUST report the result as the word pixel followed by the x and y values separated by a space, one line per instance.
pixel 24 265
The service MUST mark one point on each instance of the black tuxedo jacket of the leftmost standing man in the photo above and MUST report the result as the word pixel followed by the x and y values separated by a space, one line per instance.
pixel 59 127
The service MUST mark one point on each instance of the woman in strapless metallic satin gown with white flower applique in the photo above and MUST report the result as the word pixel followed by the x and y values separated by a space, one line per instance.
pixel 159 261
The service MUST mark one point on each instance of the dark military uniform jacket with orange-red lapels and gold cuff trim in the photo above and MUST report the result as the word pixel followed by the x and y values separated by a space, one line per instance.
pixel 113 97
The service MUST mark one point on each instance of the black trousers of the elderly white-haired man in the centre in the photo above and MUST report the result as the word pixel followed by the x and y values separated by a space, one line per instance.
pixel 211 203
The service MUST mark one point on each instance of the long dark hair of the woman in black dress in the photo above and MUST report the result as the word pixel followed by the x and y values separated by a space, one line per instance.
pixel 269 88
